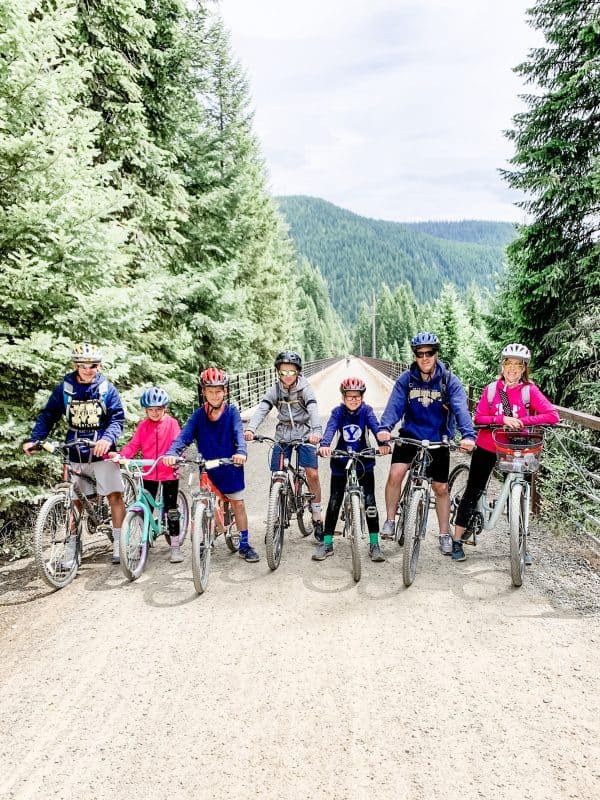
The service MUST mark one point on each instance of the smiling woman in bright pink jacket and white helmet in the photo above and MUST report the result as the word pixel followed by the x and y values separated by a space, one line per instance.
pixel 514 402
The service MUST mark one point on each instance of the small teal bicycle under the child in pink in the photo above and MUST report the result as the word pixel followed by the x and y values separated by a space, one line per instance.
pixel 146 520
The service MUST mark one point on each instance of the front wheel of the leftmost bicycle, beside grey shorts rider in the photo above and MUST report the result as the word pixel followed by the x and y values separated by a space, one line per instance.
pixel 51 534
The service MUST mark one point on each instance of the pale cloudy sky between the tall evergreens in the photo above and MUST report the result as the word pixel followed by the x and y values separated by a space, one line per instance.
pixel 393 109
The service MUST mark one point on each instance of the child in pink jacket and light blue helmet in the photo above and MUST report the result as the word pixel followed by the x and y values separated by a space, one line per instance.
pixel 153 437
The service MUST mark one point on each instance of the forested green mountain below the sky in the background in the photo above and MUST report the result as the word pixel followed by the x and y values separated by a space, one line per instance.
pixel 356 255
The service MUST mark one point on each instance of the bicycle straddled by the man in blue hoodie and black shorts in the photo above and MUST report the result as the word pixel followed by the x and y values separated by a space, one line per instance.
pixel 413 508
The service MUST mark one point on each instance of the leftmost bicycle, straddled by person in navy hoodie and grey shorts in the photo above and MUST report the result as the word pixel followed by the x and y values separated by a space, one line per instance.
pixel 67 513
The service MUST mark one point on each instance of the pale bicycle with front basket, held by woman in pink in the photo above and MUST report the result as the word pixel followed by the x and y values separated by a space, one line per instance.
pixel 517 456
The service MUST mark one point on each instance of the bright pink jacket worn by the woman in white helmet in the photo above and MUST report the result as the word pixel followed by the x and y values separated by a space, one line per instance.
pixel 541 411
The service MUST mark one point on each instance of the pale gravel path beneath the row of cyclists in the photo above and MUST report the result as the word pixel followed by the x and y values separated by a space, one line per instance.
pixel 298 683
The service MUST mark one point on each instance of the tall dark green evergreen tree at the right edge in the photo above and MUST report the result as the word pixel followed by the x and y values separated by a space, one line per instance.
pixel 552 288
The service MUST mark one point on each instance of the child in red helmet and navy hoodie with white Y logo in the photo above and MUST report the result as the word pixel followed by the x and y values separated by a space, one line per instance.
pixel 351 420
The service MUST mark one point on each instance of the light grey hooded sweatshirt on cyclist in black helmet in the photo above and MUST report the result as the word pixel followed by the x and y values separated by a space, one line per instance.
pixel 298 415
